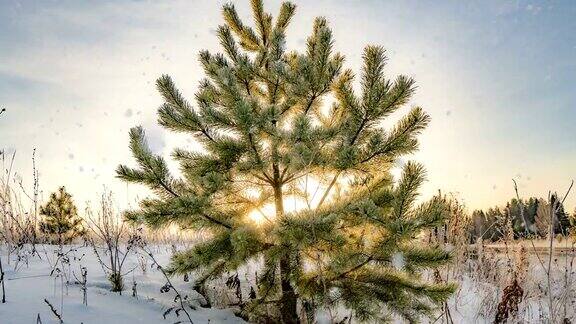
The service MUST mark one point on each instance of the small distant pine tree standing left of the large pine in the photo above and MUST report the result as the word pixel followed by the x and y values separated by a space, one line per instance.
pixel 61 222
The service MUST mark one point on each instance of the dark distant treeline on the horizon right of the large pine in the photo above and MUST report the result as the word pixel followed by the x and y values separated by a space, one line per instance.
pixel 526 218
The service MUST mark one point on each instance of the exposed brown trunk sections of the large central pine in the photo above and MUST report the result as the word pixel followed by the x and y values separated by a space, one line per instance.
pixel 288 300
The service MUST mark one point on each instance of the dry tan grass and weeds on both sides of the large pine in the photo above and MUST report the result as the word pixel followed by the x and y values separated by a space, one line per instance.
pixel 529 281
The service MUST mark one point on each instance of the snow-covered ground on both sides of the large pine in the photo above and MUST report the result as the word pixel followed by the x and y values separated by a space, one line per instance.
pixel 28 283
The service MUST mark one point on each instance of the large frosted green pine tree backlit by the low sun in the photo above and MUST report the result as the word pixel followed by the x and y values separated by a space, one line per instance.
pixel 272 123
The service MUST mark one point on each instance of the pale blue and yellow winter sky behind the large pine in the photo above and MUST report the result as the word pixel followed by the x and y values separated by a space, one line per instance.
pixel 497 77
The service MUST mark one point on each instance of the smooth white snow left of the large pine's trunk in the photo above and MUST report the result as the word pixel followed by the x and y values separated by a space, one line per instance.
pixel 29 284
